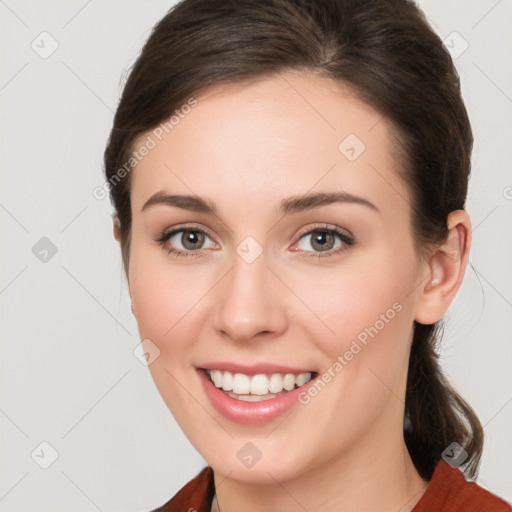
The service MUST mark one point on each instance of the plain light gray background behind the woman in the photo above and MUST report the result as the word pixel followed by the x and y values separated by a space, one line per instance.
pixel 69 375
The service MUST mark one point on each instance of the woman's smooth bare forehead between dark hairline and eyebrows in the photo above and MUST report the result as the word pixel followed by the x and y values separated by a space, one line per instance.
pixel 255 142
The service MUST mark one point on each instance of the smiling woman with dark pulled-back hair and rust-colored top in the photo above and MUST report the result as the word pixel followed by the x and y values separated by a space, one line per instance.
pixel 289 180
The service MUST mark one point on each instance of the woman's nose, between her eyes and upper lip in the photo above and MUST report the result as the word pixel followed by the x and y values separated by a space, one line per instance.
pixel 250 303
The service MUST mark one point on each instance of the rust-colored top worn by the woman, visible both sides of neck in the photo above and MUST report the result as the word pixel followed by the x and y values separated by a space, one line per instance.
pixel 448 491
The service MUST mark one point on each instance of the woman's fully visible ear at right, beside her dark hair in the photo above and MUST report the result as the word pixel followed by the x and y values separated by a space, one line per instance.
pixel 445 269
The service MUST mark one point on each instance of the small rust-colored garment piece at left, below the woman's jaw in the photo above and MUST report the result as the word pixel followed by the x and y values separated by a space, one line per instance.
pixel 194 496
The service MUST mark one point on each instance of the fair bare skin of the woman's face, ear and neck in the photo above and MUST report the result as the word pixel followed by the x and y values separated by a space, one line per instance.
pixel 247 147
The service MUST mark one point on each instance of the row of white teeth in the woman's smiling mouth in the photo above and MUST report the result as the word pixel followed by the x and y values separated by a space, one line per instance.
pixel 258 385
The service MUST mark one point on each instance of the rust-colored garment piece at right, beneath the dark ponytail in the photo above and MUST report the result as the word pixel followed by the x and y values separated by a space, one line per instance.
pixel 449 491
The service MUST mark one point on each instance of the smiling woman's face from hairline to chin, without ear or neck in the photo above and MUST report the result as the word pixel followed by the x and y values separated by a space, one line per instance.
pixel 278 279
